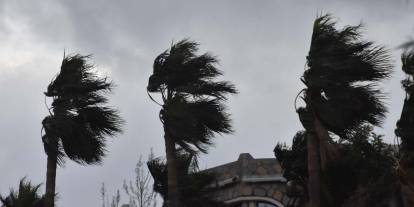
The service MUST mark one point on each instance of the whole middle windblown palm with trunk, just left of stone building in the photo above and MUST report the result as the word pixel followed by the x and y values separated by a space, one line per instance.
pixel 192 109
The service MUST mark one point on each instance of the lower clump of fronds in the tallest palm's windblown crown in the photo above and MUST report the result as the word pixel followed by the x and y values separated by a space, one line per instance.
pixel 344 109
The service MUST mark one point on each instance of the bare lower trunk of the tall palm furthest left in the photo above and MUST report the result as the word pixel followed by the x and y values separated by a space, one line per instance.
pixel 50 181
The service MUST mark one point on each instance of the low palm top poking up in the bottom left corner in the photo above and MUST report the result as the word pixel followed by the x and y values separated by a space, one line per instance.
pixel 26 196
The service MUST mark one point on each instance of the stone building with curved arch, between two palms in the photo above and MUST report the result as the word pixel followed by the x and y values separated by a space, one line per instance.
pixel 250 182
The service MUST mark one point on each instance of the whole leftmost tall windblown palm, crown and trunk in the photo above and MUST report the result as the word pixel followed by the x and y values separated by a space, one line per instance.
pixel 79 122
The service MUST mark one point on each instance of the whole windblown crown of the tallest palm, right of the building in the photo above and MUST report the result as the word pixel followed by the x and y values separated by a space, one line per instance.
pixel 342 77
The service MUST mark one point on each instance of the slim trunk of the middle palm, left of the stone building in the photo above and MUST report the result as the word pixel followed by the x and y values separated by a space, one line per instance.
pixel 172 176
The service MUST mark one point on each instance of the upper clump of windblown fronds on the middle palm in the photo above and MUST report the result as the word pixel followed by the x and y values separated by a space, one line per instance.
pixel 179 69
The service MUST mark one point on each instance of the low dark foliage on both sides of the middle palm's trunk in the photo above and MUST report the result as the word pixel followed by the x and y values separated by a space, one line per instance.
pixel 193 184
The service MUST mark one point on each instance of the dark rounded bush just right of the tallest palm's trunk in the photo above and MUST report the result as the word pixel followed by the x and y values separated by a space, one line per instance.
pixel 366 167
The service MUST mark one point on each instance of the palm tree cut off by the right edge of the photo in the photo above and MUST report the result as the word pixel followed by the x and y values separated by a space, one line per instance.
pixel 405 132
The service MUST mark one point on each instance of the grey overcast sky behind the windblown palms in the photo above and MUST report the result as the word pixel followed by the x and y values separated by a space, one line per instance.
pixel 261 44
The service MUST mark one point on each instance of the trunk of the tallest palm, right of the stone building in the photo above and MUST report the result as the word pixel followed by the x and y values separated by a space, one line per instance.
pixel 314 170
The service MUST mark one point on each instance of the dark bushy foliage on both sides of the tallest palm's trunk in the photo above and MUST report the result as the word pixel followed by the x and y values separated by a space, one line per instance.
pixel 364 174
